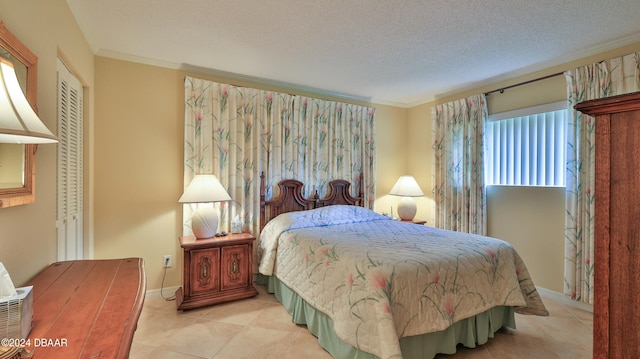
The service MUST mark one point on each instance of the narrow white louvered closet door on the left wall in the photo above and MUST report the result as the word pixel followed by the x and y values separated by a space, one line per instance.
pixel 70 185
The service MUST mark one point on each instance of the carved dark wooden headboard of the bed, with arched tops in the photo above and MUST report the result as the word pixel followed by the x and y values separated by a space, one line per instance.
pixel 290 198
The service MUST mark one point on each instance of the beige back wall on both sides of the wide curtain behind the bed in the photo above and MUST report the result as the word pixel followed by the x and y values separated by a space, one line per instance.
pixel 139 162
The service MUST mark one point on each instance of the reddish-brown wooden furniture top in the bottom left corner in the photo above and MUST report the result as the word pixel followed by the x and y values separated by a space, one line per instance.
pixel 86 308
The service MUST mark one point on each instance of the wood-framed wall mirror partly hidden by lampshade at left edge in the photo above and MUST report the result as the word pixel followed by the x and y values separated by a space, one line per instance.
pixel 17 162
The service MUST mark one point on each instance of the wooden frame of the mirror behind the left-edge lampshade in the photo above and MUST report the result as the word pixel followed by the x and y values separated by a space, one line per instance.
pixel 26 194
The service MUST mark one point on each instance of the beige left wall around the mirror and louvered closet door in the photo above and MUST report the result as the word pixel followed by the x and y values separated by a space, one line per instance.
pixel 48 29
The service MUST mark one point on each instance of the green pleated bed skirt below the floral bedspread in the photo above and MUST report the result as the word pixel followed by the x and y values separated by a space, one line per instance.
pixel 468 332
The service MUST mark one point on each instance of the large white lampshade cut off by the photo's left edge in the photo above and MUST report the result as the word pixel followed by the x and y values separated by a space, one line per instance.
pixel 18 122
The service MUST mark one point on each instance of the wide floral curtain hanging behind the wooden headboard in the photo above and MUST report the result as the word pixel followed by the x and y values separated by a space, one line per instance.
pixel 236 133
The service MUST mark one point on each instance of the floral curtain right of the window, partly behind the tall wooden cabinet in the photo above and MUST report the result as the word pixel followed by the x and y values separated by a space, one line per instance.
pixel 607 78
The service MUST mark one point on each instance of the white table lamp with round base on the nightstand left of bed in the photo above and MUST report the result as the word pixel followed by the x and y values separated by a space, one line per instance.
pixel 204 189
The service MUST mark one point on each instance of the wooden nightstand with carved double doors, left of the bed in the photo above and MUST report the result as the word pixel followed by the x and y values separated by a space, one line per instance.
pixel 216 270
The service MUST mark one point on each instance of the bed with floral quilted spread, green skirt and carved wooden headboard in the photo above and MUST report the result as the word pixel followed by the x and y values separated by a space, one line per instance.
pixel 369 286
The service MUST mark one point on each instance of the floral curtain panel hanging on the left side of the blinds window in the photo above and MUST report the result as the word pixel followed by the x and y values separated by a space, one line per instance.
pixel 459 165
